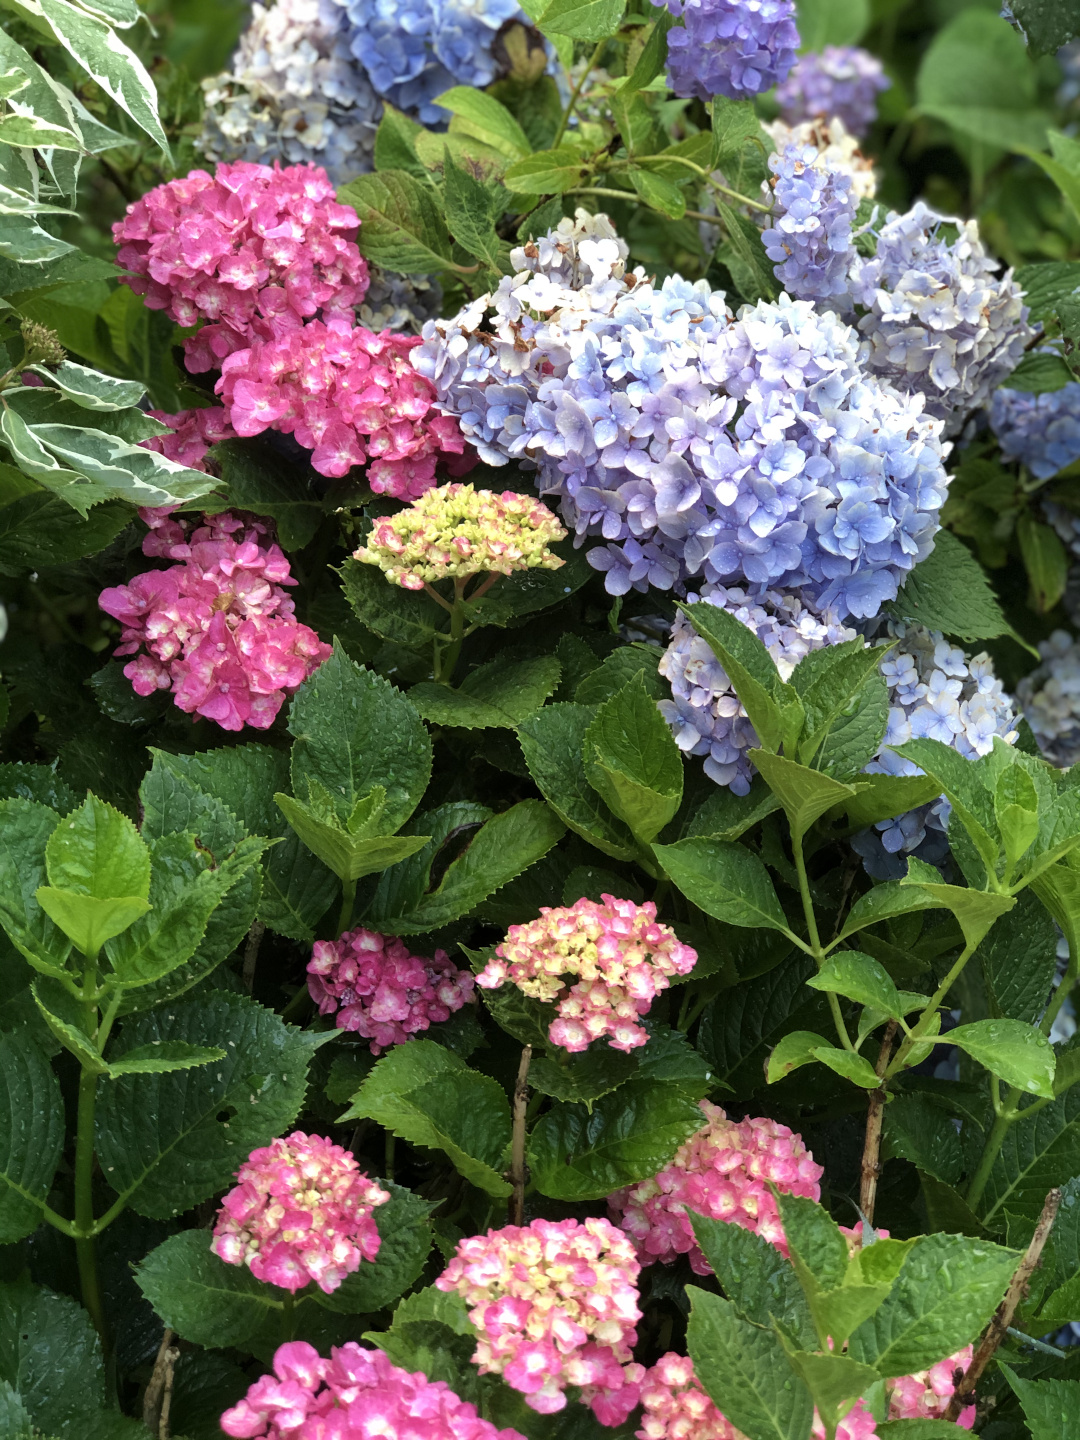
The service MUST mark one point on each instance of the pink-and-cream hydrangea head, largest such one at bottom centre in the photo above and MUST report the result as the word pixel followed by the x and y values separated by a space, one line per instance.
pixel 555 1305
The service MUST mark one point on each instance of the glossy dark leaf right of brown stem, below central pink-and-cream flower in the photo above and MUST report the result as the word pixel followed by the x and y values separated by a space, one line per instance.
pixel 577 1153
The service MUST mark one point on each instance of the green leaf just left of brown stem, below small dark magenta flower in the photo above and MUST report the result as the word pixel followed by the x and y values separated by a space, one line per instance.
pixel 428 1097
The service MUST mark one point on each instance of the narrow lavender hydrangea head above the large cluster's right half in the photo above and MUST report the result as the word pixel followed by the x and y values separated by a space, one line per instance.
pixel 810 238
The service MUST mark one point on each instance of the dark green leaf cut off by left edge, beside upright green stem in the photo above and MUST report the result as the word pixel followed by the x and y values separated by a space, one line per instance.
pixel 31 1134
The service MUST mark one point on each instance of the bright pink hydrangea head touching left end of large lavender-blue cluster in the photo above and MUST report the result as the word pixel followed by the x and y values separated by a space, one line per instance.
pixel 348 395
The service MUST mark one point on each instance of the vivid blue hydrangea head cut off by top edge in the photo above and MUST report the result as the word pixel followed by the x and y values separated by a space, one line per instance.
pixel 415 50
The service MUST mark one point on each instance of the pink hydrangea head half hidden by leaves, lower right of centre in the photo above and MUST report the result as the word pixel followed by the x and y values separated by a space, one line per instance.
pixel 722 1171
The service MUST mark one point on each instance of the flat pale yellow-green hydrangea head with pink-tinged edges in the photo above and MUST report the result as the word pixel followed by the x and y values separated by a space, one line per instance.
pixel 456 532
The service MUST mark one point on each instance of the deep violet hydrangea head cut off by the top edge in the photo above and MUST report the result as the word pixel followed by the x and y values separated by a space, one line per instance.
pixel 737 48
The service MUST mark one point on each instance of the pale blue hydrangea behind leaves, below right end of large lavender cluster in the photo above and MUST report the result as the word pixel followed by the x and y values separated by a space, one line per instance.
pixel 935 692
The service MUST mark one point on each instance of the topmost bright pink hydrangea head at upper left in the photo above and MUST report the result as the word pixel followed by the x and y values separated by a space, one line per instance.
pixel 253 251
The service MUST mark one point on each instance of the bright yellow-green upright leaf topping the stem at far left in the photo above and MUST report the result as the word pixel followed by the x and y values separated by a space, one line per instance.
pixel 97 852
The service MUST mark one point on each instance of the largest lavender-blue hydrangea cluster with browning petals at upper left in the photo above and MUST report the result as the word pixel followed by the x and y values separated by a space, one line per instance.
pixel 757 451
